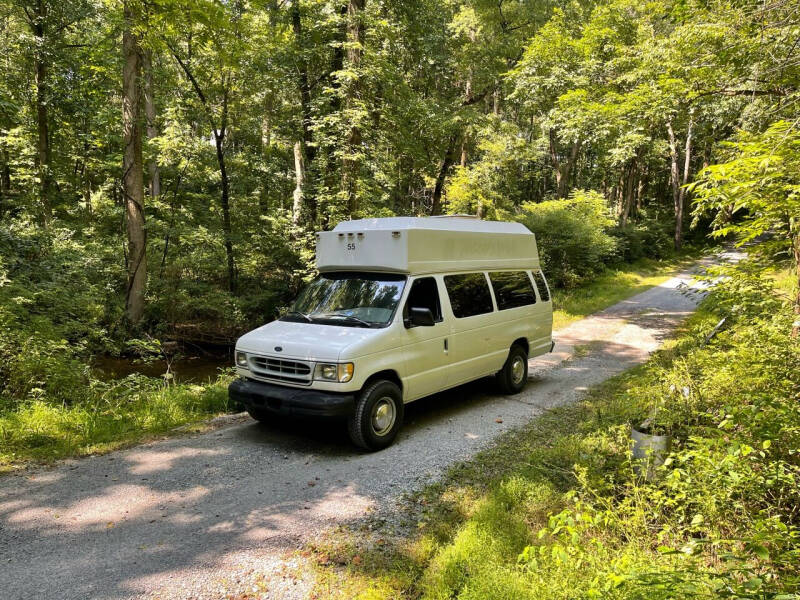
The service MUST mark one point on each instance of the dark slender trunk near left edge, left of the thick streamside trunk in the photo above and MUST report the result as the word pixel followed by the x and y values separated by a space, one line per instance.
pixel 43 154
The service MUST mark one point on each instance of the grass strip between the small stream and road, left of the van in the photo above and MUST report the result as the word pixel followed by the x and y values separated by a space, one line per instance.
pixel 116 414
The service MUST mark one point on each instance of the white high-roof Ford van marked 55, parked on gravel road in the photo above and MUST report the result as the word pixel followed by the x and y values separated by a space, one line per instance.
pixel 403 308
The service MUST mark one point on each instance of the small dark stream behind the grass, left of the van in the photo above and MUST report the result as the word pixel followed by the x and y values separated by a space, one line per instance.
pixel 188 369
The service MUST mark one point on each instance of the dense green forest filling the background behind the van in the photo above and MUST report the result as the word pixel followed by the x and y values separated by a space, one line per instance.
pixel 164 163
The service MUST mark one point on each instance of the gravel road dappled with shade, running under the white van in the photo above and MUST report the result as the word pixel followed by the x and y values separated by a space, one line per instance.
pixel 219 514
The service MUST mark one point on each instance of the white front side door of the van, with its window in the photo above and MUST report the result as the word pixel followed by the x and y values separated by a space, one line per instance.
pixel 425 351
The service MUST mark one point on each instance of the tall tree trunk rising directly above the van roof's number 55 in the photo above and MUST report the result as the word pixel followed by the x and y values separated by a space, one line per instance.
pixel 351 162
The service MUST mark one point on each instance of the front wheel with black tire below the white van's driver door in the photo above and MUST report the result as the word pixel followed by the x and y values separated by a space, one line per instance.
pixel 379 402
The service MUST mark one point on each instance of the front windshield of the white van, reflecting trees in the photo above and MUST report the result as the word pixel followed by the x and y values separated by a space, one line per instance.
pixel 350 299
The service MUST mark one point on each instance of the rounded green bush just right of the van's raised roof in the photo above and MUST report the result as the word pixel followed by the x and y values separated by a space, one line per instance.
pixel 572 235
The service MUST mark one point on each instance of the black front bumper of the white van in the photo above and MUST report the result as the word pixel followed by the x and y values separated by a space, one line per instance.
pixel 291 401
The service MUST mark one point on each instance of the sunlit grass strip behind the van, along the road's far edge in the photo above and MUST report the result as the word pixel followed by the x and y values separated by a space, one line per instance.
pixel 617 283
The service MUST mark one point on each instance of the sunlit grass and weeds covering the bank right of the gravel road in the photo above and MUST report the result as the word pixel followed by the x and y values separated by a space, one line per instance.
pixel 555 511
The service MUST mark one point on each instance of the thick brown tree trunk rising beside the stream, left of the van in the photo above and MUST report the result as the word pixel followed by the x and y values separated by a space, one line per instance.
pixel 132 172
